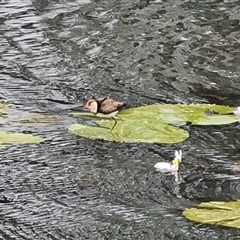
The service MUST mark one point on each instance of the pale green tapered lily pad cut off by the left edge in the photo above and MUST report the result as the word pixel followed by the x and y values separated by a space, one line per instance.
pixel 17 138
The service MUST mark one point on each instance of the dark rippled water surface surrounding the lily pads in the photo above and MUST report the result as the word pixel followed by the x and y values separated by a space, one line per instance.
pixel 55 55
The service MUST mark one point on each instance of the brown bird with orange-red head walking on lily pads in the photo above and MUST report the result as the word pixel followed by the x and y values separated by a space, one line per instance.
pixel 105 108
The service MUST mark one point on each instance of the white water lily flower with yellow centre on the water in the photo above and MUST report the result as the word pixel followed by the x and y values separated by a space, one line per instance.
pixel 170 167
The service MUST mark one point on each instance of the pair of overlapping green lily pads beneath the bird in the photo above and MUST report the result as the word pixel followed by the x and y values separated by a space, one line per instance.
pixel 150 123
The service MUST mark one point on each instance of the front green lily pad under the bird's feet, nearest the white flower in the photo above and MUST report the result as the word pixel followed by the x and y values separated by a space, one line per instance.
pixel 131 131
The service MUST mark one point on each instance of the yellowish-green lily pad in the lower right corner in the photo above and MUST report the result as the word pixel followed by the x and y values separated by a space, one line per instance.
pixel 216 213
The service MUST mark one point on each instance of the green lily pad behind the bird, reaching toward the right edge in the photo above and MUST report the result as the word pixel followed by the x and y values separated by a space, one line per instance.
pixel 177 114
